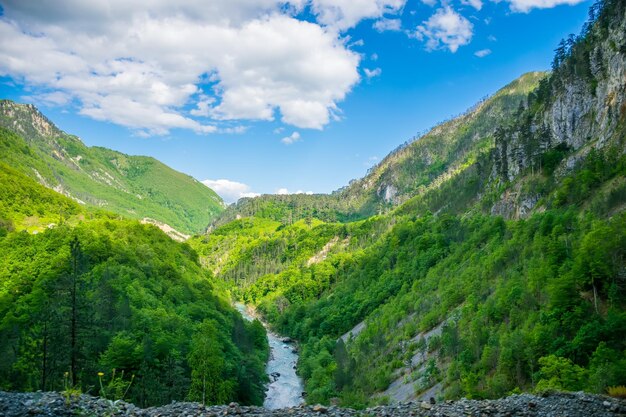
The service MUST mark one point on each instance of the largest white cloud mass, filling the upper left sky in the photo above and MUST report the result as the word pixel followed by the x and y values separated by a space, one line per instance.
pixel 157 65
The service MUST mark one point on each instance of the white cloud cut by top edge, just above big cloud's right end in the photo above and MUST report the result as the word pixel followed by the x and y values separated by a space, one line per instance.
pixel 344 14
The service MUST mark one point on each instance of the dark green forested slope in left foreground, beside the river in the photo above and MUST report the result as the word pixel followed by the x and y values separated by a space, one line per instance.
pixel 91 293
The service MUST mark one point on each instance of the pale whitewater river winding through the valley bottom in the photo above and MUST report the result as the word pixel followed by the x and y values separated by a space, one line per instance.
pixel 285 388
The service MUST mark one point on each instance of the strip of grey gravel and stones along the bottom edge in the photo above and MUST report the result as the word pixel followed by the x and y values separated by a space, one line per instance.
pixel 553 405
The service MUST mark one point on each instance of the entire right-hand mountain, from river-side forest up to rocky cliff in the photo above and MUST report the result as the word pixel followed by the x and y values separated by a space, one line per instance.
pixel 485 258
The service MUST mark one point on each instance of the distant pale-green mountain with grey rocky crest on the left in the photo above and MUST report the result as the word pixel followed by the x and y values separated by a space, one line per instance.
pixel 133 186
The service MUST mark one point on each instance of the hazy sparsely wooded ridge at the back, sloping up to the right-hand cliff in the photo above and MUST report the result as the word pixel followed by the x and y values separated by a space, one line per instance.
pixel 408 171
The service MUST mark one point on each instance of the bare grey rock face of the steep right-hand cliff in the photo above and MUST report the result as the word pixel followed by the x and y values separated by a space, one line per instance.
pixel 583 109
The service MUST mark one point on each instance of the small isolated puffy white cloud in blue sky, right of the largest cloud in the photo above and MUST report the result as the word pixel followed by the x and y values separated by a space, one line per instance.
pixel 445 29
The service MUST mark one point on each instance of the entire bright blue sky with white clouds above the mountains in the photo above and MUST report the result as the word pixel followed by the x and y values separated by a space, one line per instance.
pixel 269 96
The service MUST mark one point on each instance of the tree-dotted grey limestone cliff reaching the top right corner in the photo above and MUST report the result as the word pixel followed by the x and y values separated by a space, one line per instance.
pixel 581 105
